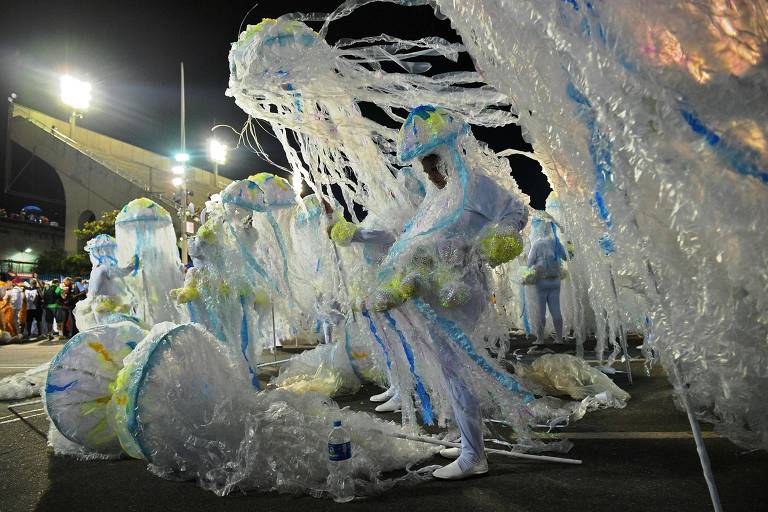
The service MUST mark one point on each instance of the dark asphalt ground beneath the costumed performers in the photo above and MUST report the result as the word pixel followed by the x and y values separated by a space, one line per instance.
pixel 641 458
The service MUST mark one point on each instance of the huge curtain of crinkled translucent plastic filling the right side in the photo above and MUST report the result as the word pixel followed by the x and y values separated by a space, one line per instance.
pixel 650 121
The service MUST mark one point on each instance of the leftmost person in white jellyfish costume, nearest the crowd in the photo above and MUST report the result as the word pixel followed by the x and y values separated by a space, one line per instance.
pixel 106 292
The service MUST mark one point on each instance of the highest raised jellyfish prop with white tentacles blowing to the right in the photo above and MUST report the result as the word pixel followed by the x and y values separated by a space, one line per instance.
pixel 285 73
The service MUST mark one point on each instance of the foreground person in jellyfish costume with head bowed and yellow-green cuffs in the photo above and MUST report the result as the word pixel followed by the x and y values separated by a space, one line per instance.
pixel 437 266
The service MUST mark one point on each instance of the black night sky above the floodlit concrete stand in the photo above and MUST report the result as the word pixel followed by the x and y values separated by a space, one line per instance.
pixel 130 52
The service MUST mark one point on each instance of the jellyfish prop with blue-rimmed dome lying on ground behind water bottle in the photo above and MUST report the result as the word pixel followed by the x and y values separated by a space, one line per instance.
pixel 187 409
